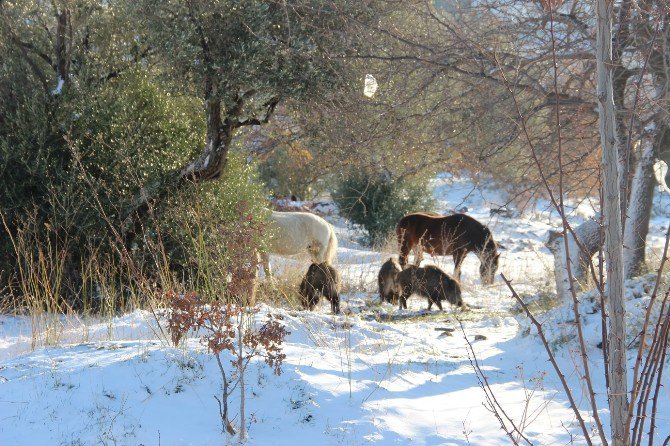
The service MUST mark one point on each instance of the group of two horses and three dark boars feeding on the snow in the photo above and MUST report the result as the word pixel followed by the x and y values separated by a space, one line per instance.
pixel 456 235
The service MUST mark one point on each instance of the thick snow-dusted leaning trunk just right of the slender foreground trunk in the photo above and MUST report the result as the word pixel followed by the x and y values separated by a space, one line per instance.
pixel 639 210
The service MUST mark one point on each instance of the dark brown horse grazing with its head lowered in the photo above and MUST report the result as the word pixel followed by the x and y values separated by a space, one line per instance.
pixel 456 234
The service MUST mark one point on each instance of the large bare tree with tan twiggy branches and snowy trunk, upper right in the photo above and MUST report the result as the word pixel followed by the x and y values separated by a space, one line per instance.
pixel 456 54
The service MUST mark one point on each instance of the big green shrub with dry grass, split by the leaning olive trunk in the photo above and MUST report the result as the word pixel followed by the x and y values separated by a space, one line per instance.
pixel 69 172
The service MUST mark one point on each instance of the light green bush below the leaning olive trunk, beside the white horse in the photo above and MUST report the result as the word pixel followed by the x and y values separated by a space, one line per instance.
pixel 199 229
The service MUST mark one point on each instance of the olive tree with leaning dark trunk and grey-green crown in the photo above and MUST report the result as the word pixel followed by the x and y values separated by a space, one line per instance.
pixel 242 59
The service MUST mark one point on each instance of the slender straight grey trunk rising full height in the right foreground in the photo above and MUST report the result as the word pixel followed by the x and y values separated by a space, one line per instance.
pixel 617 392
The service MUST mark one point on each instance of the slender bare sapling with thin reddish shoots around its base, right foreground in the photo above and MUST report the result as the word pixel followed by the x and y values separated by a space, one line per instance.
pixel 622 412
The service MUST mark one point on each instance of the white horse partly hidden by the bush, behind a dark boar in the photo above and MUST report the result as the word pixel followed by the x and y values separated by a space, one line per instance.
pixel 297 232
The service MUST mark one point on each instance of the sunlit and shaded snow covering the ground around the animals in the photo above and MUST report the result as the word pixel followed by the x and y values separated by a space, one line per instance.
pixel 374 375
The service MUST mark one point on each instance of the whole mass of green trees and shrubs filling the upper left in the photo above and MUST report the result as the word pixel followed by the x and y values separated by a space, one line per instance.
pixel 102 103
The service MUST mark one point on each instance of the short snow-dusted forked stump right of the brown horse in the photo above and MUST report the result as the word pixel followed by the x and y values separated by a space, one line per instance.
pixel 588 234
